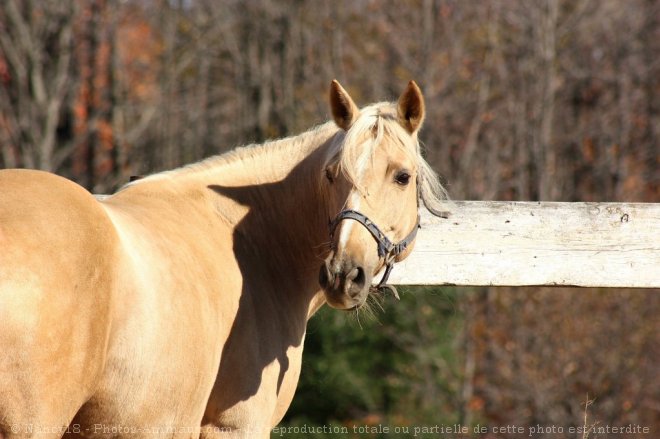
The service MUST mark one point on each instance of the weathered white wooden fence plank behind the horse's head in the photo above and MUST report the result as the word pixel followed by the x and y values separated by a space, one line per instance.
pixel 527 243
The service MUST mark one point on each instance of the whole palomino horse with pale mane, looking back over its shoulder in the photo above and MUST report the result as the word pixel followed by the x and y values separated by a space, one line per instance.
pixel 177 307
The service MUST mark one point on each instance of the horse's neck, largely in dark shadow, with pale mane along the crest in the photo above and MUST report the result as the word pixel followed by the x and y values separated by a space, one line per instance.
pixel 270 196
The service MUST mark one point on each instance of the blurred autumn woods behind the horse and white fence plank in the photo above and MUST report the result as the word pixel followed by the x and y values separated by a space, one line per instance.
pixel 554 100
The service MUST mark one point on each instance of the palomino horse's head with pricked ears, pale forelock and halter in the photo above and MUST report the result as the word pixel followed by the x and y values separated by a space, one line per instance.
pixel 374 177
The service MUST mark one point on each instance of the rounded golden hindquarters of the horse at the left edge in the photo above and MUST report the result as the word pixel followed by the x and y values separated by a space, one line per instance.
pixel 56 274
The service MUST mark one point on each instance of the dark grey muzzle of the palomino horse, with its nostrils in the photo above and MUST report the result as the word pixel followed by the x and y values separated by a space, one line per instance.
pixel 345 283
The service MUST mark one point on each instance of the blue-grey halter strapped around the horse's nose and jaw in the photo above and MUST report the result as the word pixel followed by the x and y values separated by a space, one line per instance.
pixel 386 248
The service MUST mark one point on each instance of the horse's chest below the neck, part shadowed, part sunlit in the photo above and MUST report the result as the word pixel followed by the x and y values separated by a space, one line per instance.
pixel 259 370
